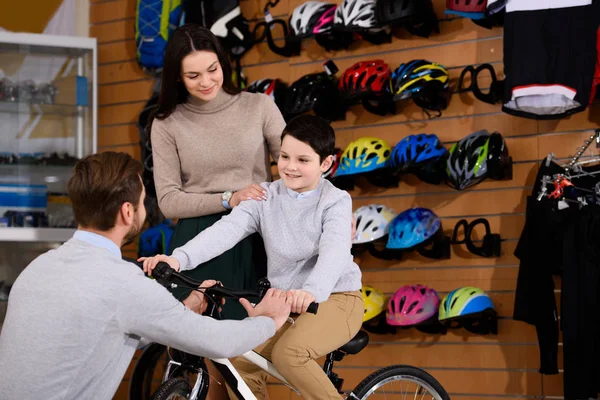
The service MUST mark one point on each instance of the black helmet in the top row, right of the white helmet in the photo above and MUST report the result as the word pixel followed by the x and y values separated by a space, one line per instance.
pixel 417 16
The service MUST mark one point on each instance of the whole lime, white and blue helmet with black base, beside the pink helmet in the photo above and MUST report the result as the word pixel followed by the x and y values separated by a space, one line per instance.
pixel 471 308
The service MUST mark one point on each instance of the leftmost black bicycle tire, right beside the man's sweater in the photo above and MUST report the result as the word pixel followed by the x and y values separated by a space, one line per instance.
pixel 140 385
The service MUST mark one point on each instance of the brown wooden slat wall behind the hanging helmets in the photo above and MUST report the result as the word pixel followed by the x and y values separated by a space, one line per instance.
pixel 468 366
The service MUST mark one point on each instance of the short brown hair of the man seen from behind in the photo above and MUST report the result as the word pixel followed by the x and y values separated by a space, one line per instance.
pixel 100 184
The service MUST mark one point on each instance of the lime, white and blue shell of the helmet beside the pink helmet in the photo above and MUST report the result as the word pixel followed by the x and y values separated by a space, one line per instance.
pixel 464 301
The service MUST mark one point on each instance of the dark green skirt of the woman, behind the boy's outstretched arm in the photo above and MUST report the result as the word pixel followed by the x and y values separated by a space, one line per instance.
pixel 239 268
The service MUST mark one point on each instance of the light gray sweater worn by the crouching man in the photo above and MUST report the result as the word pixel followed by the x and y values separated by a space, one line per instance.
pixel 77 314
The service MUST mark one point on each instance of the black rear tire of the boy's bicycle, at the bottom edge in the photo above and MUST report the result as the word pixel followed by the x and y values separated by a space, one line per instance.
pixel 364 389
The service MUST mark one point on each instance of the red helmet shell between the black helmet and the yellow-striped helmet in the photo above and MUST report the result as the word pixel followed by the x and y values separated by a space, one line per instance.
pixel 365 78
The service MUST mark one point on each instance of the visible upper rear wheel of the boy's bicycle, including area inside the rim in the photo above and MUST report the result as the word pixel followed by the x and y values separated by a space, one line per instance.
pixel 399 382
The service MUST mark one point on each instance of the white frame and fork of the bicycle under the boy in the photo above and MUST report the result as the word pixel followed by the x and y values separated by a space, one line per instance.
pixel 232 376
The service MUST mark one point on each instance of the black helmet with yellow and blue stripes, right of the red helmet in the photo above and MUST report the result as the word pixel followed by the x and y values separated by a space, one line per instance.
pixel 426 82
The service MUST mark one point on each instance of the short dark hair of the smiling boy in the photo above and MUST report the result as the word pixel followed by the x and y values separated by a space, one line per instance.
pixel 314 131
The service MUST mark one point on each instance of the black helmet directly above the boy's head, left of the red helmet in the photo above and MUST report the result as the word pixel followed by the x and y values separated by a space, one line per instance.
pixel 316 92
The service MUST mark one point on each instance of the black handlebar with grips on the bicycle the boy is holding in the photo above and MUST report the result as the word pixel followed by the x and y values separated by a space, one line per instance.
pixel 165 275
